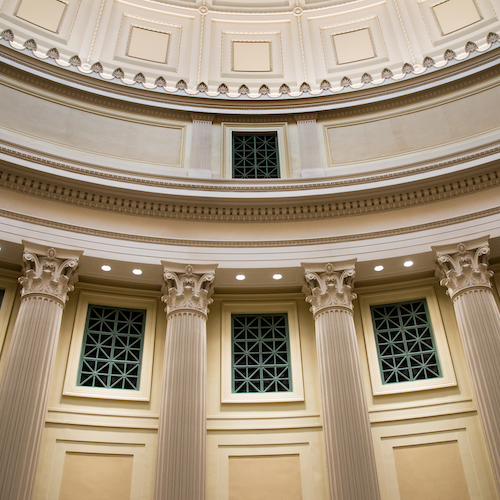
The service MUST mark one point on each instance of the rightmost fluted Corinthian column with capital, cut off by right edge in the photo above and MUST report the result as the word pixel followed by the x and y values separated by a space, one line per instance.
pixel 464 271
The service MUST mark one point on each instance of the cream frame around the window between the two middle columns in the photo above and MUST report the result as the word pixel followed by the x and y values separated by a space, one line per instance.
pixel 278 307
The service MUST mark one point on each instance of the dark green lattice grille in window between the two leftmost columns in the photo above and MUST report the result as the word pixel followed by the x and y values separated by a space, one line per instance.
pixel 112 348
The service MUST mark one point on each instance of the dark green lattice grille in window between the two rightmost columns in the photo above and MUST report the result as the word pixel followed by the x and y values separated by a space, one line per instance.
pixel 405 342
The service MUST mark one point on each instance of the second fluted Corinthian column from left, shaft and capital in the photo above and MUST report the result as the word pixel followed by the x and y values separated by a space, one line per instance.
pixel 181 459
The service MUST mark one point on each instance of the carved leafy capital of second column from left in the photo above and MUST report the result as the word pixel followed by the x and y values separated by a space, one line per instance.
pixel 188 287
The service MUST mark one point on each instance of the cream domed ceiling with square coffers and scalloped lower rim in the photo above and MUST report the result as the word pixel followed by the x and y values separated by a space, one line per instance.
pixel 257 49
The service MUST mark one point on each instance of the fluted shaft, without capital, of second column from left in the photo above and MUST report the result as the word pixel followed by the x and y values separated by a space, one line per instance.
pixel 182 428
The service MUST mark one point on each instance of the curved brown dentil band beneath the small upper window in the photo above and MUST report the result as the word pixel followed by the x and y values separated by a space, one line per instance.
pixel 335 207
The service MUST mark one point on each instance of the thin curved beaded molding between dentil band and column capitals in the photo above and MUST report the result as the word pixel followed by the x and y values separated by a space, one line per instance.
pixel 248 244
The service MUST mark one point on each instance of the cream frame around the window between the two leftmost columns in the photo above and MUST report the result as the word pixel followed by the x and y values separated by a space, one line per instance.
pixel 87 298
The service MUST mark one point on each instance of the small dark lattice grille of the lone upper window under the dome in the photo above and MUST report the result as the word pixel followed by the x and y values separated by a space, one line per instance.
pixel 255 156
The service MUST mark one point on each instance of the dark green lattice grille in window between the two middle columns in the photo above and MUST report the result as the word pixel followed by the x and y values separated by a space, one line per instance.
pixel 260 353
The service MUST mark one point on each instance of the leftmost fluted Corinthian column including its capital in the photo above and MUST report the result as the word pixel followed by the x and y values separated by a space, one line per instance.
pixel 24 387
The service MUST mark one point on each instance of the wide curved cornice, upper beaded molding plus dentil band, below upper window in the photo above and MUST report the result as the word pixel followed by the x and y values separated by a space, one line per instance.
pixel 331 206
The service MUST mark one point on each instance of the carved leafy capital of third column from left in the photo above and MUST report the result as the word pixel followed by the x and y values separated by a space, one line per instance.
pixel 329 286
